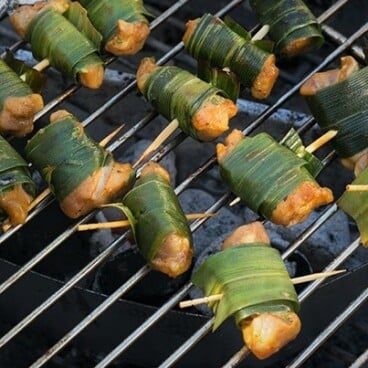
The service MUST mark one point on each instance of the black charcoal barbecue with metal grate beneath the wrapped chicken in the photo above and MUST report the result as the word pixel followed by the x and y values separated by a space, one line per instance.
pixel 51 278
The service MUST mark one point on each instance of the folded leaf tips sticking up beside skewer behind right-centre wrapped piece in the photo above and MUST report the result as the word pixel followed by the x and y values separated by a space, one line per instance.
pixel 293 141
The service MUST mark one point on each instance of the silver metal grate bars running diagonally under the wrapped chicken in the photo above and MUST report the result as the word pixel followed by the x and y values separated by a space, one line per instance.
pixel 344 44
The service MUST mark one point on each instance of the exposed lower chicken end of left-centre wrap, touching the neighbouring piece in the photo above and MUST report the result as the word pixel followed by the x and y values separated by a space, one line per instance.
pixel 104 185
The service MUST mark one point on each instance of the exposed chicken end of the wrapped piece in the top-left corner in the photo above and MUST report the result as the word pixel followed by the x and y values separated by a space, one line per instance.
pixel 24 14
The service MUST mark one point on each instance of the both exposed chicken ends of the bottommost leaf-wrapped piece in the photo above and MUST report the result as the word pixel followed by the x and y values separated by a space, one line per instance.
pixel 266 333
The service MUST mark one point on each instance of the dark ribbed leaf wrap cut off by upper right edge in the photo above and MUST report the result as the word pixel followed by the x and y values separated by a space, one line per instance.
pixel 344 107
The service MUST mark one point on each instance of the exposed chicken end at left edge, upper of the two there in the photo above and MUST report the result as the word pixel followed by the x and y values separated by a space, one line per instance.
pixel 16 116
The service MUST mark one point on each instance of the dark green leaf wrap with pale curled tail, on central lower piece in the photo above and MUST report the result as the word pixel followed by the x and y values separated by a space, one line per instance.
pixel 154 212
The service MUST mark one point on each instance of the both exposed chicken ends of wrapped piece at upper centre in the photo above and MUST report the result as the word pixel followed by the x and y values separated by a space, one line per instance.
pixel 211 120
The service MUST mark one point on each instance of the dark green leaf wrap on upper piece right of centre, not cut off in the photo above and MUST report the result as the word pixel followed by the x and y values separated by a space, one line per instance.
pixel 226 46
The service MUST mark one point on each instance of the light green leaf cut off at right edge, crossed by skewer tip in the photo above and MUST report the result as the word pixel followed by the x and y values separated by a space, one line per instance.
pixel 356 205
